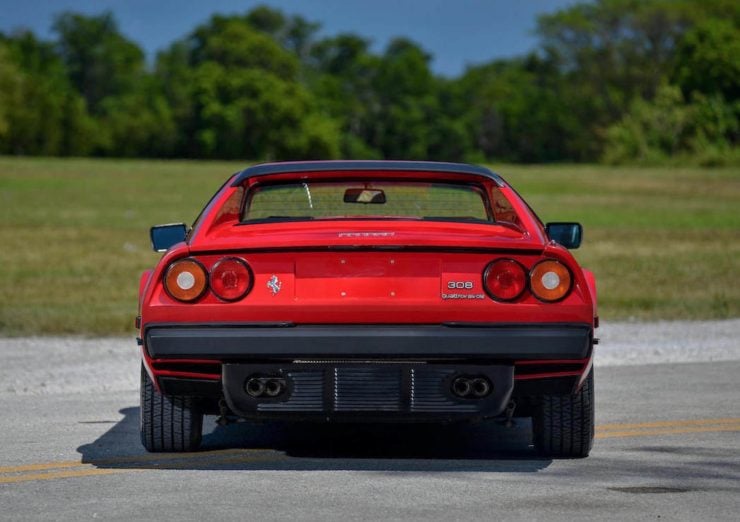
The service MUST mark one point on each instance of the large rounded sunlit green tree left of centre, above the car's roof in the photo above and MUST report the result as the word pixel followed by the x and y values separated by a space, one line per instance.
pixel 235 92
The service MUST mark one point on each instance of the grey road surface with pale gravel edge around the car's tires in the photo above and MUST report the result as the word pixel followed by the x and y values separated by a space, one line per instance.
pixel 668 446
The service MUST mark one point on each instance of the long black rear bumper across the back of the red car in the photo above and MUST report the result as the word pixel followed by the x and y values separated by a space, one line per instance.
pixel 427 342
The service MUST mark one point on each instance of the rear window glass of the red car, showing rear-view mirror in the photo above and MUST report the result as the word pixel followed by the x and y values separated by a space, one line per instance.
pixel 367 200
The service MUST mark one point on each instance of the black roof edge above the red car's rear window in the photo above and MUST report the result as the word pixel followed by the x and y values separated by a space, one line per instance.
pixel 360 165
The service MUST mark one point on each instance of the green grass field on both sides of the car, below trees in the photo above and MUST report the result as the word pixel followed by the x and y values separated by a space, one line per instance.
pixel 663 242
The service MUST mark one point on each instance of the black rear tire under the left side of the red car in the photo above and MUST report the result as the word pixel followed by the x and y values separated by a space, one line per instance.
pixel 167 423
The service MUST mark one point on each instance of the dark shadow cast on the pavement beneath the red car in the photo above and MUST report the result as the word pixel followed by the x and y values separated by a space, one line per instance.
pixel 488 446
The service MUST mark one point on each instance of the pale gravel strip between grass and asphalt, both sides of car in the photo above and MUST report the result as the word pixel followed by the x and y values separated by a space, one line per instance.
pixel 53 365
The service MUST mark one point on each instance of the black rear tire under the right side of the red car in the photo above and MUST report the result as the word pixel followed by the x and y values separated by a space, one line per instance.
pixel 563 425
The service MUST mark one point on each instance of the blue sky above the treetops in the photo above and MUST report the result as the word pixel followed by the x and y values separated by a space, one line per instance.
pixel 456 32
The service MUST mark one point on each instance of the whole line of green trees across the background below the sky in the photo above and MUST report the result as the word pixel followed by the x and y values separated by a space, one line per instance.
pixel 611 80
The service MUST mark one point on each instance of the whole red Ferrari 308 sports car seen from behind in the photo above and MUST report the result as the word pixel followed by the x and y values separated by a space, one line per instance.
pixel 367 291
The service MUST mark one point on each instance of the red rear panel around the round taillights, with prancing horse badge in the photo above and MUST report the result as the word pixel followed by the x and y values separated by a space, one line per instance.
pixel 367 287
